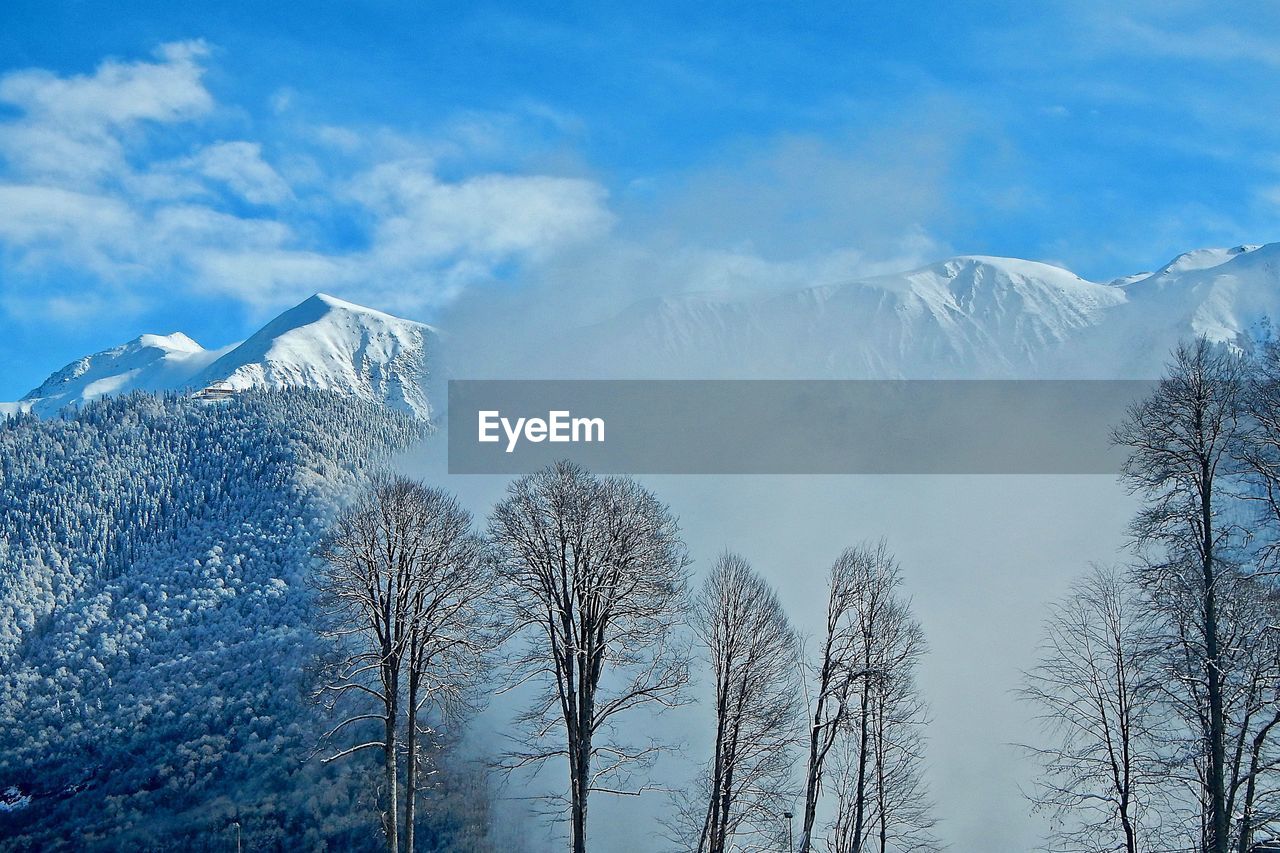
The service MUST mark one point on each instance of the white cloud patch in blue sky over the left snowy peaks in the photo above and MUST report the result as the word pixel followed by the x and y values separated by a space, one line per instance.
pixel 92 181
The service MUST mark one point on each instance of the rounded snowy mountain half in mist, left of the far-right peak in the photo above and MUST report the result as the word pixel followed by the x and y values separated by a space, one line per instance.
pixel 966 317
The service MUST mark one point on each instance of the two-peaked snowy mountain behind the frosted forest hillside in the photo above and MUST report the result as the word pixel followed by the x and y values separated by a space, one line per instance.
pixel 324 344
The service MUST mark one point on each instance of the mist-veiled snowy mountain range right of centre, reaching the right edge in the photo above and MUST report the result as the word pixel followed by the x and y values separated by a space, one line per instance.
pixel 971 317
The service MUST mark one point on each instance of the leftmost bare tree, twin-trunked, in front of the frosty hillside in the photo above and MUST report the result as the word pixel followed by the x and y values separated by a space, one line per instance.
pixel 404 592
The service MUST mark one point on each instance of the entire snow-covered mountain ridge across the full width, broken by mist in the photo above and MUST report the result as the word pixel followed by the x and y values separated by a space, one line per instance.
pixel 967 317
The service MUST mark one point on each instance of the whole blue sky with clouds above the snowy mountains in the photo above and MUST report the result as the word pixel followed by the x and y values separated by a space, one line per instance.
pixel 200 167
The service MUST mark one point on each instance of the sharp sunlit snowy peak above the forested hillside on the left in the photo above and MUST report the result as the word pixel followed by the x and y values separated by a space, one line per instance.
pixel 333 345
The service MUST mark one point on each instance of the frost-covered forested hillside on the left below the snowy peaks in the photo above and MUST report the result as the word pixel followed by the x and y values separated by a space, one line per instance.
pixel 156 642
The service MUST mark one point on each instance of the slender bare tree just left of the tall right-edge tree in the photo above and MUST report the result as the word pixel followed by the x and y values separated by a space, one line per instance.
pixel 1104 776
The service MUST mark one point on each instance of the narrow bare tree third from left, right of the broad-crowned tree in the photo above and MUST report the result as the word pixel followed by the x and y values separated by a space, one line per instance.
pixel 755 658
